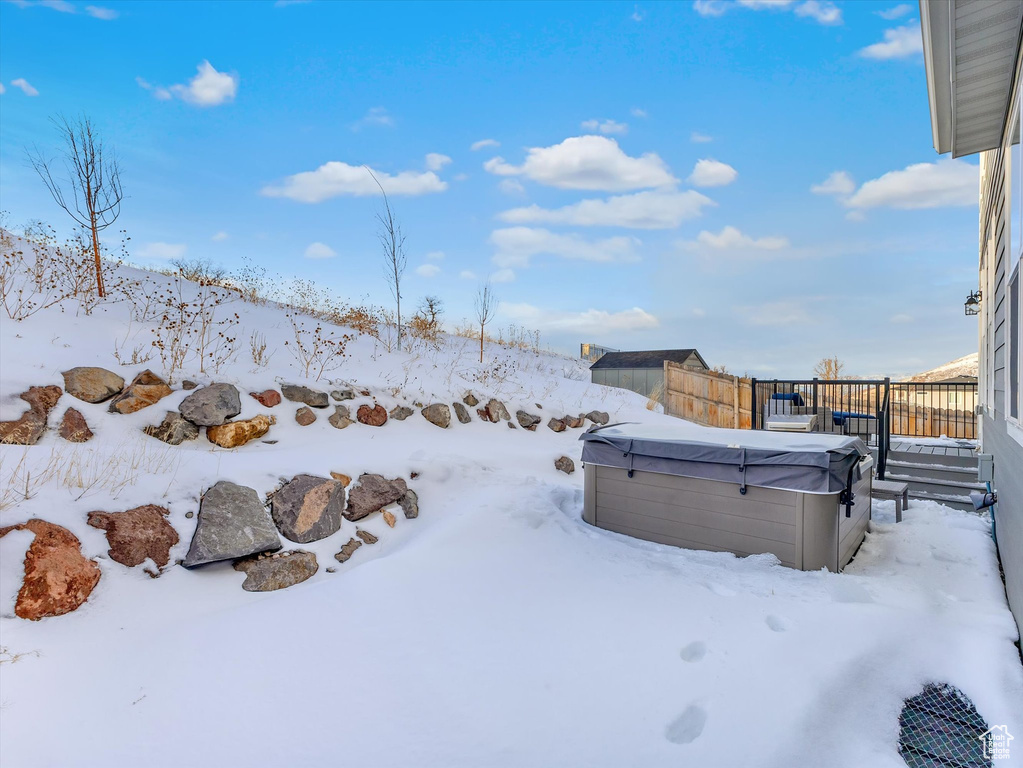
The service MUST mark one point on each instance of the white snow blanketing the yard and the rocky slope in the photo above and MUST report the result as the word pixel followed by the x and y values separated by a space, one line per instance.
pixel 496 629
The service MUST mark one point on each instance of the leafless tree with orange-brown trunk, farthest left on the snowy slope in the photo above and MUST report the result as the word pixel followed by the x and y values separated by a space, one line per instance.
pixel 92 193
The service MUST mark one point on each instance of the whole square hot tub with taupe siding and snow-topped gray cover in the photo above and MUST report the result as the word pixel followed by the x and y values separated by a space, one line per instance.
pixel 804 499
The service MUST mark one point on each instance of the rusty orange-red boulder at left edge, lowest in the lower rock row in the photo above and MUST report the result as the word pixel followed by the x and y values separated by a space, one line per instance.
pixel 58 577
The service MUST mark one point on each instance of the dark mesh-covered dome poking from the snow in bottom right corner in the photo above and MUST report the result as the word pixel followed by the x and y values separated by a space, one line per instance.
pixel 942 729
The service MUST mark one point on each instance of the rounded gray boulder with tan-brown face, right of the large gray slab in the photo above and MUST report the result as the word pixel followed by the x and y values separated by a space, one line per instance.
pixel 308 509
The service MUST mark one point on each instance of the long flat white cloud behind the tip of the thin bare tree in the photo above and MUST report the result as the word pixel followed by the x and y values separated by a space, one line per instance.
pixel 335 178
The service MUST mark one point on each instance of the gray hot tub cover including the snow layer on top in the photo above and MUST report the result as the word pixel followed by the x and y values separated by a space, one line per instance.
pixel 812 464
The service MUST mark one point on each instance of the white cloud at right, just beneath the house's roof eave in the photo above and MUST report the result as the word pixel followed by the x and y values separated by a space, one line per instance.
pixel 945 184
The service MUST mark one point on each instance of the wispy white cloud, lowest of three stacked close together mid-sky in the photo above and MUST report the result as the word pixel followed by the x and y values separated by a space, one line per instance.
pixel 515 247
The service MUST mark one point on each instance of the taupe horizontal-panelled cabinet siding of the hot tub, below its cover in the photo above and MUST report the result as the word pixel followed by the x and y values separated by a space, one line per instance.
pixel 805 531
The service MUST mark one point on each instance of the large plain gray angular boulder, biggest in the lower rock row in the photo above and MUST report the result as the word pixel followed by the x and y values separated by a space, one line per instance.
pixel 233 524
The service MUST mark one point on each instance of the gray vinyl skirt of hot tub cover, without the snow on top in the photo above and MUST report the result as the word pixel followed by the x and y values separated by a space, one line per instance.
pixel 812 471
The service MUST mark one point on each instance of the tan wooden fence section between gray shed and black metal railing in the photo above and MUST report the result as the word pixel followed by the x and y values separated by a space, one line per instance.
pixel 707 398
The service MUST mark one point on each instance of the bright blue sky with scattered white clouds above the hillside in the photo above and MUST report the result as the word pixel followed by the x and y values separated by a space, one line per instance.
pixel 755 179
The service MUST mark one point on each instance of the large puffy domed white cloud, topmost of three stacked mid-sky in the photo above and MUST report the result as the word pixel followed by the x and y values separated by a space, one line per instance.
pixel 588 163
